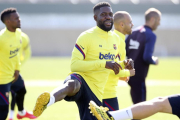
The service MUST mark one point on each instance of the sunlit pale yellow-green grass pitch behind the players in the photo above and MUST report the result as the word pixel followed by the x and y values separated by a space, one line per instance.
pixel 45 73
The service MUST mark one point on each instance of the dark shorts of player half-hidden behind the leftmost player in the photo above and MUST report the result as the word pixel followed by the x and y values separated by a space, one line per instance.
pixel 19 84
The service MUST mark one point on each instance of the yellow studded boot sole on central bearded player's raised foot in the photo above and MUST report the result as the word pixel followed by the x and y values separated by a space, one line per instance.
pixel 41 103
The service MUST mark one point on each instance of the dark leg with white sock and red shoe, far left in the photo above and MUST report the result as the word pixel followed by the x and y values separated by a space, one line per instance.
pixel 20 91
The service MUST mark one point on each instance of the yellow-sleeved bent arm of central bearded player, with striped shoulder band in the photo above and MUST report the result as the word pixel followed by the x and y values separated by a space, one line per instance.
pixel 78 63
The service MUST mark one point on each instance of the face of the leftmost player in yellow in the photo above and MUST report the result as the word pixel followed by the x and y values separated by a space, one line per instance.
pixel 14 21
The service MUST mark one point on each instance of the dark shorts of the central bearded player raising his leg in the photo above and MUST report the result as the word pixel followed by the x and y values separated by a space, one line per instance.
pixel 83 97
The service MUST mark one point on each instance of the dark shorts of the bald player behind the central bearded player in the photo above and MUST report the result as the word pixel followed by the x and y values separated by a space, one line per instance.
pixel 111 103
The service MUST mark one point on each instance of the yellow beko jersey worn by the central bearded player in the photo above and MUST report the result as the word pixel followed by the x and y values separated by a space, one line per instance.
pixel 93 48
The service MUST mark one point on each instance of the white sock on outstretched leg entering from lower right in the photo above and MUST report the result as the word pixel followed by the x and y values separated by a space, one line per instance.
pixel 122 114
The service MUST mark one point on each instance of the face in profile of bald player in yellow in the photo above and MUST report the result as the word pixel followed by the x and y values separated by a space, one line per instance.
pixel 128 25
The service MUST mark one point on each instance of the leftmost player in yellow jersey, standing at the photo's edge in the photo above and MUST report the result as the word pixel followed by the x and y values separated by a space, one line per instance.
pixel 10 43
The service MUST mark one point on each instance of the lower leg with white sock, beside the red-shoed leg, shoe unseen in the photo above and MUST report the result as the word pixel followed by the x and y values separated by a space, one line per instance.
pixel 13 101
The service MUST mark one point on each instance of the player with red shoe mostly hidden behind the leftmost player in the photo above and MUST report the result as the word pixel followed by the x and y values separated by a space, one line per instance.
pixel 25 54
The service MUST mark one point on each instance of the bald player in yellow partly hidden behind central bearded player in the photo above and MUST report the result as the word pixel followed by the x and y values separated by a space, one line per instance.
pixel 123 26
